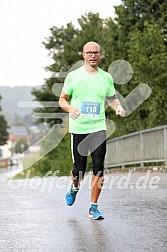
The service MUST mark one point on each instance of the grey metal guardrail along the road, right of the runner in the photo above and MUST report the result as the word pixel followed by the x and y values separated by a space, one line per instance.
pixel 146 146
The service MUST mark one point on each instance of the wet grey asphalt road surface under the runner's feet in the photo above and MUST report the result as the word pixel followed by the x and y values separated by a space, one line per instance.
pixel 34 216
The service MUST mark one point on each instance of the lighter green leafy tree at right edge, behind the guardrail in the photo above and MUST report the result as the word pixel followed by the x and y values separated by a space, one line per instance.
pixel 148 55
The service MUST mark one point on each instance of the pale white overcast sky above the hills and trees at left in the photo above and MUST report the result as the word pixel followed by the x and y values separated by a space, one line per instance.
pixel 24 24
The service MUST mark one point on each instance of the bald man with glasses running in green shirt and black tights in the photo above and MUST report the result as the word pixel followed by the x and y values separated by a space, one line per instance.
pixel 88 87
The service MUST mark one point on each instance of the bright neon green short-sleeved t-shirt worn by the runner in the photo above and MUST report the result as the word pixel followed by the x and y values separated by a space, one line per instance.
pixel 88 93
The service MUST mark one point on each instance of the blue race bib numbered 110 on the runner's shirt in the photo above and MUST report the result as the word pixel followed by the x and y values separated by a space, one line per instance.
pixel 90 108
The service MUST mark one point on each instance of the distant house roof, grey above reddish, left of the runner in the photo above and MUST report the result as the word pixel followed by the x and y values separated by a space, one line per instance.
pixel 17 133
